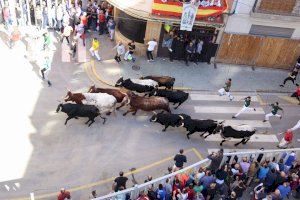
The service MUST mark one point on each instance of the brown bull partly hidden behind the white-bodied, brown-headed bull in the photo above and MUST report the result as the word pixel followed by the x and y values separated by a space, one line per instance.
pixel 120 96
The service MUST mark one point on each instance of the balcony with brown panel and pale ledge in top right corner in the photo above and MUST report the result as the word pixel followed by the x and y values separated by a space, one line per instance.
pixel 287 10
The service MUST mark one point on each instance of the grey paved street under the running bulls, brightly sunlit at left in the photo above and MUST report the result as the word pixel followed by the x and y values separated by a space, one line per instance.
pixel 39 153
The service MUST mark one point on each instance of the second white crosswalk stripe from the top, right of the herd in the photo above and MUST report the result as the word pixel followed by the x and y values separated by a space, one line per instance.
pixel 223 109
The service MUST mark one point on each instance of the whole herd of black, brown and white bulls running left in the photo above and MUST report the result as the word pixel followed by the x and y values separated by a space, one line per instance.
pixel 99 101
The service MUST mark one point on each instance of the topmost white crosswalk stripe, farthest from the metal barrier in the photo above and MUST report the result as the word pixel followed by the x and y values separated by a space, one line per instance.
pixel 211 97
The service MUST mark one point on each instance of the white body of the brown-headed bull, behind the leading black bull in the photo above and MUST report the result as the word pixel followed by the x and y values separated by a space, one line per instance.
pixel 104 102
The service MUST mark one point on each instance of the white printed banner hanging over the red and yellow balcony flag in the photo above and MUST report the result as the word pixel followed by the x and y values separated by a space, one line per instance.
pixel 188 16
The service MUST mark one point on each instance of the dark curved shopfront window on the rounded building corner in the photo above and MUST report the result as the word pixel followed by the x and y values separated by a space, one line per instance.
pixel 132 28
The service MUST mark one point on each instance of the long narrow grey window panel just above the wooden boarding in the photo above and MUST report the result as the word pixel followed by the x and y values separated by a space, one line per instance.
pixel 271 31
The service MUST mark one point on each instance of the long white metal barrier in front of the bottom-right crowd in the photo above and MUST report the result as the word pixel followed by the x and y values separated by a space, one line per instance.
pixel 227 158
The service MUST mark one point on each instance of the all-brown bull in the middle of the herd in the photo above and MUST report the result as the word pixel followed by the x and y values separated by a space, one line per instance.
pixel 146 103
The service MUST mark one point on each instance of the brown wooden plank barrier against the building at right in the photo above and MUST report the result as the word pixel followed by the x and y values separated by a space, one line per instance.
pixel 258 51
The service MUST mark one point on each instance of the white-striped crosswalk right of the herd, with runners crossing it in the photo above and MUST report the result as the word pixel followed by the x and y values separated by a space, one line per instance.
pixel 211 107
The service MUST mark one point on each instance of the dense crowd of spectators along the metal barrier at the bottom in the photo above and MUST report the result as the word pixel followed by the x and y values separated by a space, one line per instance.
pixel 263 178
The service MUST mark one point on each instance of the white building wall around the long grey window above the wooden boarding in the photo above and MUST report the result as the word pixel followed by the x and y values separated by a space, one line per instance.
pixel 241 21
